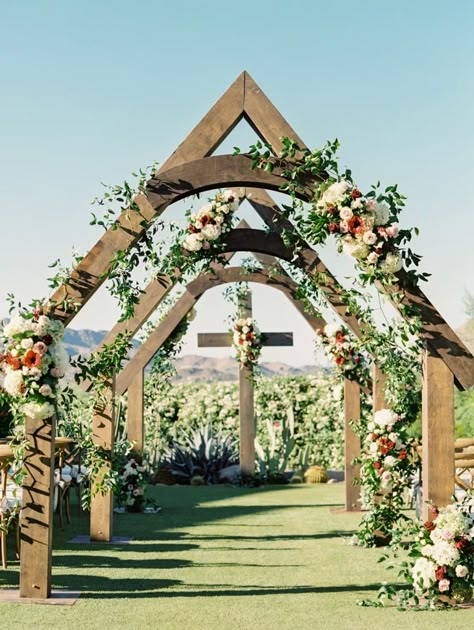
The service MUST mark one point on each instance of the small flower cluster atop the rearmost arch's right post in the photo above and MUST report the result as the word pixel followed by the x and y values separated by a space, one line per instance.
pixel 339 346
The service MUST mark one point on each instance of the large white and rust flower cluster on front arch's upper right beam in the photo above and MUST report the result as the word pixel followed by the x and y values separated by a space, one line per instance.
pixel 365 227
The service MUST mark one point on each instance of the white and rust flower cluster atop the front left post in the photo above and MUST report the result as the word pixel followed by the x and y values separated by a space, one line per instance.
pixel 34 360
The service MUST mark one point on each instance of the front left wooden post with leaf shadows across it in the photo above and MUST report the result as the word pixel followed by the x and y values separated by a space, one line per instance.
pixel 36 517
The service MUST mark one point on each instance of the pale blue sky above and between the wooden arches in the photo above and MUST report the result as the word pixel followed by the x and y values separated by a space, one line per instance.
pixel 92 90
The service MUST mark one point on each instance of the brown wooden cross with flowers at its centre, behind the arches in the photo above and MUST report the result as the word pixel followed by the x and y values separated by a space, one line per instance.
pixel 246 402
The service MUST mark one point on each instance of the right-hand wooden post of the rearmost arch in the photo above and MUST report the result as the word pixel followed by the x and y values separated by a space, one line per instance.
pixel 351 444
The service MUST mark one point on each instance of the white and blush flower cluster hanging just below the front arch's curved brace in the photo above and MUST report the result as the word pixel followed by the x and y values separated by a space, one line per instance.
pixel 209 223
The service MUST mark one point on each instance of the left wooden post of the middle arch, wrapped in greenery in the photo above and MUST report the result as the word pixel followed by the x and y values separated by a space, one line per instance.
pixel 103 436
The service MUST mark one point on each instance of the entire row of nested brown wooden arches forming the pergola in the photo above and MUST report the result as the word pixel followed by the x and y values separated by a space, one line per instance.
pixel 193 169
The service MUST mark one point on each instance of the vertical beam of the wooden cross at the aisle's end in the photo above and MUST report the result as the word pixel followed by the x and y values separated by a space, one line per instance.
pixel 246 408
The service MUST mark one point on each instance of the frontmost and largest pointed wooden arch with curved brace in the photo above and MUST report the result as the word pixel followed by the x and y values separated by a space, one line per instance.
pixel 188 170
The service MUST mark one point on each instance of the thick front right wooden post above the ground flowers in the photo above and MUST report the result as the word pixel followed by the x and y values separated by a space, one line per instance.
pixel 437 432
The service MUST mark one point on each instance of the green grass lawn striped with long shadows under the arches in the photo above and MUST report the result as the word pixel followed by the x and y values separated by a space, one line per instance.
pixel 219 558
